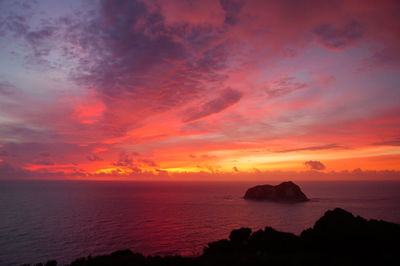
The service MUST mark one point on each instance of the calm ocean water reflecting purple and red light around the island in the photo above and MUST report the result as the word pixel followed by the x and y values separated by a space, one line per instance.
pixel 65 220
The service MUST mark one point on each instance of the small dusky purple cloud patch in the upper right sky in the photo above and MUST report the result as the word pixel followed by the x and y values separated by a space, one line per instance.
pixel 339 37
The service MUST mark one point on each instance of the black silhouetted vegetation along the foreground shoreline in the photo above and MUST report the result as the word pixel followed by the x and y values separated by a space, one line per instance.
pixel 337 238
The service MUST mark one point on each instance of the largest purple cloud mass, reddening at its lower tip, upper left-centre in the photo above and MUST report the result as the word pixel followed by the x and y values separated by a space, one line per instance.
pixel 138 63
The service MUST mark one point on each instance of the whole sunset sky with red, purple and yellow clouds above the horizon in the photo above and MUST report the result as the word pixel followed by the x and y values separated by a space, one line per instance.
pixel 199 90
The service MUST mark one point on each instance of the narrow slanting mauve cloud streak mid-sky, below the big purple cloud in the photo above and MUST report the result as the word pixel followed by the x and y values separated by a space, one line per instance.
pixel 227 98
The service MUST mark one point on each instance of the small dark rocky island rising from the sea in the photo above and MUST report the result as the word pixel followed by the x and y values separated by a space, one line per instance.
pixel 285 192
